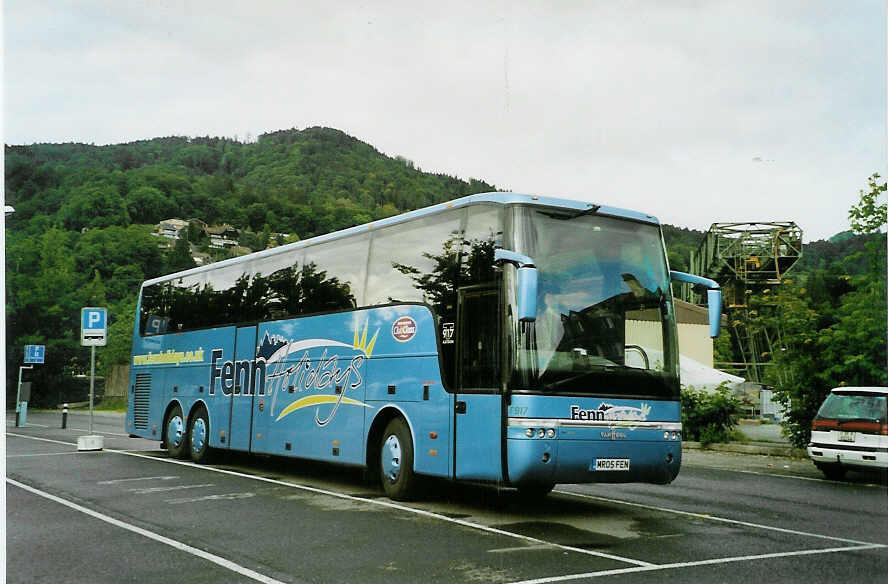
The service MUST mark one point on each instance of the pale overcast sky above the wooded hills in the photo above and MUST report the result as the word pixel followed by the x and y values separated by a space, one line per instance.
pixel 695 112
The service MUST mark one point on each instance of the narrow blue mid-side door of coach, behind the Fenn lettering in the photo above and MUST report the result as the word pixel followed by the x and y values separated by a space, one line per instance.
pixel 242 395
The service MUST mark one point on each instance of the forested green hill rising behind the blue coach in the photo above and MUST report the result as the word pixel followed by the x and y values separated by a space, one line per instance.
pixel 82 231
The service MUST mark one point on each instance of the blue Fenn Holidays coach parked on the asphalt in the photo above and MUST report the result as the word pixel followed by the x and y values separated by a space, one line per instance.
pixel 509 338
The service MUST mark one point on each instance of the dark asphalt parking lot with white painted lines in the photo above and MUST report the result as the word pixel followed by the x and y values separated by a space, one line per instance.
pixel 129 513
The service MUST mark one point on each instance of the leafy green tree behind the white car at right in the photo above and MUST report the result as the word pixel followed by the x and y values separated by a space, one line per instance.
pixel 831 333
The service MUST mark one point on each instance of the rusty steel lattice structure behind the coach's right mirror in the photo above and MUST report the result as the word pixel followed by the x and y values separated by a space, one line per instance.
pixel 746 259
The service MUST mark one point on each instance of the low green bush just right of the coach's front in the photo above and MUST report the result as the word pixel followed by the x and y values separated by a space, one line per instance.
pixel 709 417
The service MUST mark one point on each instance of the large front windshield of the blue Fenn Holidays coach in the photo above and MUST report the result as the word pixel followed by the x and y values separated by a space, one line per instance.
pixel 605 319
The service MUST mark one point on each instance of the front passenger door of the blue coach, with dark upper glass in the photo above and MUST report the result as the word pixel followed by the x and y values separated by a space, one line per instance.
pixel 478 407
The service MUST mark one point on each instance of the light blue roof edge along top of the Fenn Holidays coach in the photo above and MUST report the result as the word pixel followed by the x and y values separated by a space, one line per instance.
pixel 502 198
